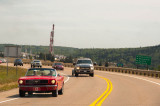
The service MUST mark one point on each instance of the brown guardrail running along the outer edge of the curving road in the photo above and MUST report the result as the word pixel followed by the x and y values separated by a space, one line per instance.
pixel 149 73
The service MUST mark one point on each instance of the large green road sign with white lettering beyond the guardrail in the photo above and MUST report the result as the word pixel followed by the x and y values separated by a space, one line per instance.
pixel 145 60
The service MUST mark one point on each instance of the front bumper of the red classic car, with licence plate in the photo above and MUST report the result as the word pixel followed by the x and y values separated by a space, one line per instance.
pixel 36 88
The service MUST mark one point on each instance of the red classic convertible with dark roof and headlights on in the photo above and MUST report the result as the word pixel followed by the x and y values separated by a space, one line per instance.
pixel 41 80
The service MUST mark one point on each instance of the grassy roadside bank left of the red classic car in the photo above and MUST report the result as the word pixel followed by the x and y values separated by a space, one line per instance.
pixel 10 81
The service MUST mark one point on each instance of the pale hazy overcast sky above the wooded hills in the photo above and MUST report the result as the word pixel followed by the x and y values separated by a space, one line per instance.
pixel 81 23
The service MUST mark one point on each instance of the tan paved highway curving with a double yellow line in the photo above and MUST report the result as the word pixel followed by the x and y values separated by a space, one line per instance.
pixel 125 90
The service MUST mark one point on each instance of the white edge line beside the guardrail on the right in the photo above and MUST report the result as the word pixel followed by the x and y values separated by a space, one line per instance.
pixel 133 77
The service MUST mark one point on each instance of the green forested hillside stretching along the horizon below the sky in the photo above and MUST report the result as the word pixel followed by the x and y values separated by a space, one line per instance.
pixel 126 56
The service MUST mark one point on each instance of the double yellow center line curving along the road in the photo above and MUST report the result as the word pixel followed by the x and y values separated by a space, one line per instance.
pixel 100 100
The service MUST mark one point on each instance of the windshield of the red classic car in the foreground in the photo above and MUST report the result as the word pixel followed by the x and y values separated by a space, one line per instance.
pixel 41 72
